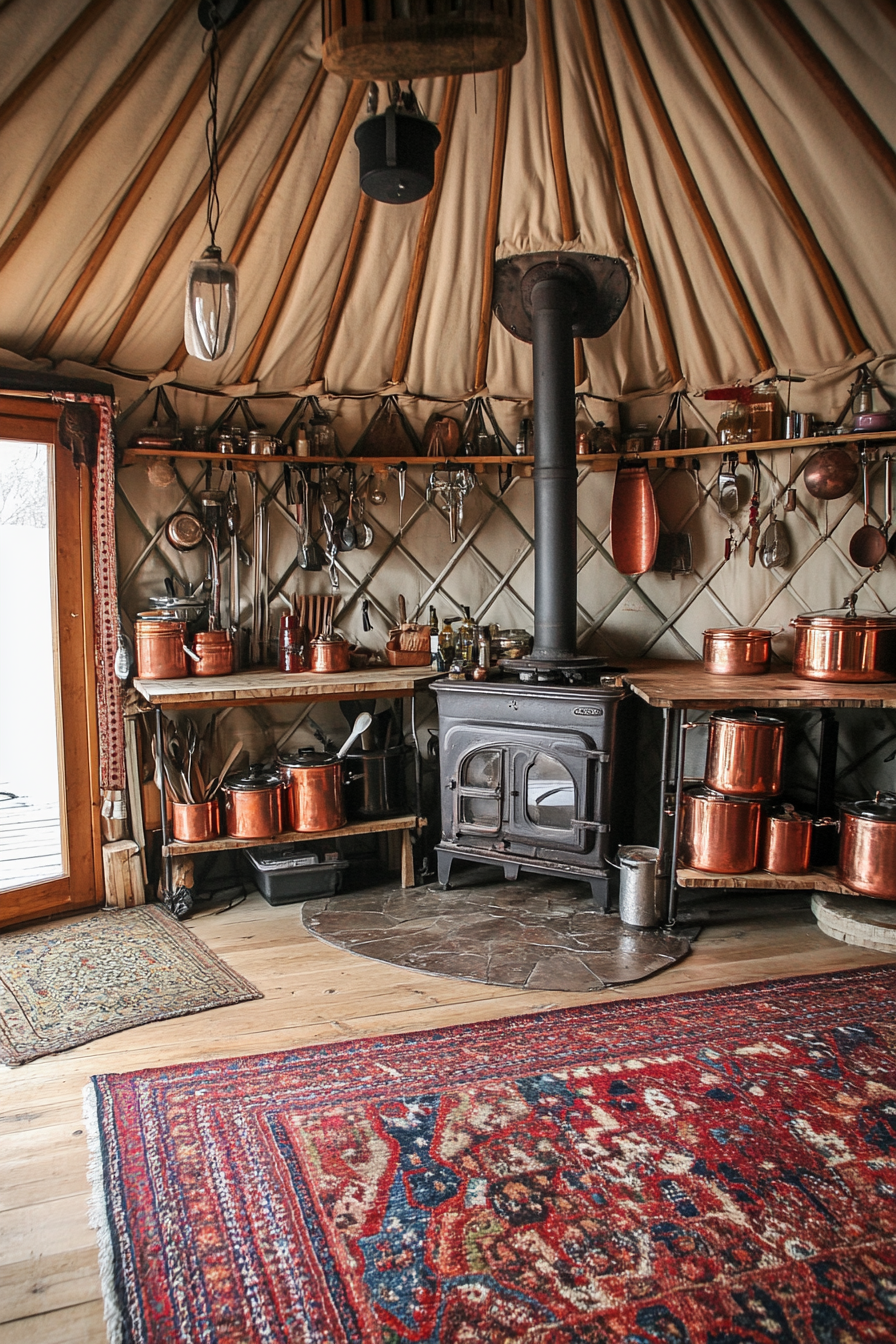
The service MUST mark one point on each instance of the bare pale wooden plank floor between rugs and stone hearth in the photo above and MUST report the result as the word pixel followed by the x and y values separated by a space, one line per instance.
pixel 49 1283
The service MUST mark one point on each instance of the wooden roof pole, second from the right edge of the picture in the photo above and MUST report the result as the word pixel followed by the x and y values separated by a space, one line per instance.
pixel 746 124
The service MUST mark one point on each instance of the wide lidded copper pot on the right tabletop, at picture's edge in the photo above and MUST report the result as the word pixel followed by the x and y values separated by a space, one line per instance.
pixel 846 648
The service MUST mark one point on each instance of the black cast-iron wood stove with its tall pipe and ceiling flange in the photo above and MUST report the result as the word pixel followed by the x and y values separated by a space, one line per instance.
pixel 527 761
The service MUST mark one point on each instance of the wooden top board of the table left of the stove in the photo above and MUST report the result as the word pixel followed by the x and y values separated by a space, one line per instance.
pixel 260 686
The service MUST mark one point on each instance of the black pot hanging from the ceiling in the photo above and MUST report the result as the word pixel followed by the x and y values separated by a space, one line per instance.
pixel 398 157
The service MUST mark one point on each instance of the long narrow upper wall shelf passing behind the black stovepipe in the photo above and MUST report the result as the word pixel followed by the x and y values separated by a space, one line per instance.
pixel 596 463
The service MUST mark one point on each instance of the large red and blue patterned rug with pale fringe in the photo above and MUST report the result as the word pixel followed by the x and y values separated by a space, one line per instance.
pixel 713 1169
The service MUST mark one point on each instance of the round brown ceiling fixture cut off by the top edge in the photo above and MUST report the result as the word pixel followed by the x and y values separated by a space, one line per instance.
pixel 417 40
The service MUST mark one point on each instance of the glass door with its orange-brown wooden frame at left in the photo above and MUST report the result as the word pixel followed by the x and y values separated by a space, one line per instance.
pixel 48 794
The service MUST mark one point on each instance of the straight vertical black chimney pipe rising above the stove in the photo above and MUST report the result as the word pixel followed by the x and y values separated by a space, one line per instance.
pixel 553 310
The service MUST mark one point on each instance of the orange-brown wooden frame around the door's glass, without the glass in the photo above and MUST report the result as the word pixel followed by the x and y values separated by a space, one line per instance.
pixel 36 420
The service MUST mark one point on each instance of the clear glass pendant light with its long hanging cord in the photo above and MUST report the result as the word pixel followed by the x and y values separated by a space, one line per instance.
pixel 210 311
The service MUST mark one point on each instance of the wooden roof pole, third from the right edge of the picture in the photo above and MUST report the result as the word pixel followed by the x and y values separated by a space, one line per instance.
pixel 690 183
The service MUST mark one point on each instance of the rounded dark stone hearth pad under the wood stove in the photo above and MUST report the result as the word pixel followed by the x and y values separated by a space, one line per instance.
pixel 531 935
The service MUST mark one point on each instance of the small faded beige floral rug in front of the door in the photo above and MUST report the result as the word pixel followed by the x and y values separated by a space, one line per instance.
pixel 65 984
